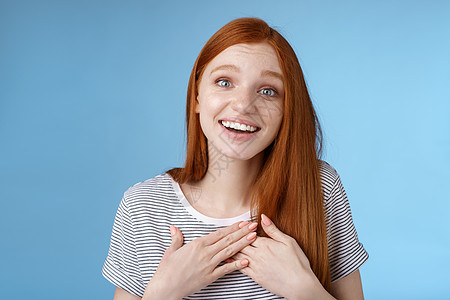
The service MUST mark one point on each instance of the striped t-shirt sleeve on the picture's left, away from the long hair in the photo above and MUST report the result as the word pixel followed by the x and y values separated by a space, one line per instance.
pixel 121 266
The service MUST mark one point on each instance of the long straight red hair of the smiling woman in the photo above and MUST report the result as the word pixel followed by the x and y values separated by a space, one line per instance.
pixel 288 187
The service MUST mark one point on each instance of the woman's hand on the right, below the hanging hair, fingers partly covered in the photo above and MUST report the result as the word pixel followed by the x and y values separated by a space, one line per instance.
pixel 280 266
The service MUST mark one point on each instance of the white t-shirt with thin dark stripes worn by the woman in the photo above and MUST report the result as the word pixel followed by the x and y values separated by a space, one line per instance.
pixel 141 235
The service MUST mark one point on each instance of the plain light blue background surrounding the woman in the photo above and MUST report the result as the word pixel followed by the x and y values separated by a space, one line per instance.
pixel 92 100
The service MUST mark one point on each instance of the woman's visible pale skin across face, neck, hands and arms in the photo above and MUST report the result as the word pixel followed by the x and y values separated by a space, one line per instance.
pixel 239 82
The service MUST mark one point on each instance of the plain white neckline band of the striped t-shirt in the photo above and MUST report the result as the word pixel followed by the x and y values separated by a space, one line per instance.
pixel 198 215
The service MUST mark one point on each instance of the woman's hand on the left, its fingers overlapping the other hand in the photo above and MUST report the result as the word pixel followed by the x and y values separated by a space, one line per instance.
pixel 186 269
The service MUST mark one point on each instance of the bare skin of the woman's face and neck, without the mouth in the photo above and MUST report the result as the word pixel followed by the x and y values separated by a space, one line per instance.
pixel 232 85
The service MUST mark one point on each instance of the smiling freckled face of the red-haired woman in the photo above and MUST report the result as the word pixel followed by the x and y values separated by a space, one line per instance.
pixel 240 100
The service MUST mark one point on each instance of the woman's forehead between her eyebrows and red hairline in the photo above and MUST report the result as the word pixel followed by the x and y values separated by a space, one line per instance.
pixel 258 54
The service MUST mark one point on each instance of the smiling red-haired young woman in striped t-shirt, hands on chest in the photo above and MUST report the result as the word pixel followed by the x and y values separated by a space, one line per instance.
pixel 254 213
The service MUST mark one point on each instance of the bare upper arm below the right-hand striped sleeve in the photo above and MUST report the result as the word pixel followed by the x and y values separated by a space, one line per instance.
pixel 348 287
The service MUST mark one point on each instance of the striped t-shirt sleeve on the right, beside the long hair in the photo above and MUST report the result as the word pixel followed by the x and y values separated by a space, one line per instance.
pixel 346 254
